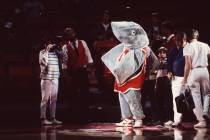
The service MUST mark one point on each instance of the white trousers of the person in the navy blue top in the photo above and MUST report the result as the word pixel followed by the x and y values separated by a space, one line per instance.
pixel 176 88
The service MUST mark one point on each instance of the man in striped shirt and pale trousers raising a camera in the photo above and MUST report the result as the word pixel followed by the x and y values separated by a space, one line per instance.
pixel 50 60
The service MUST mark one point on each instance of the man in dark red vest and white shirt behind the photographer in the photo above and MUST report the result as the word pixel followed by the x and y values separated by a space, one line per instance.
pixel 79 62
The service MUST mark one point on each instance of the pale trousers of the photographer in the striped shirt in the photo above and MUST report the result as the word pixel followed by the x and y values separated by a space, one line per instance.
pixel 49 89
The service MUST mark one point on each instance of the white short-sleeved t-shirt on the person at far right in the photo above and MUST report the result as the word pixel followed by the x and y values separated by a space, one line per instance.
pixel 198 51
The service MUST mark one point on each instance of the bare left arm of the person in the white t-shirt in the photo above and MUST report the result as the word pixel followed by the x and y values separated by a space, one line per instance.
pixel 187 68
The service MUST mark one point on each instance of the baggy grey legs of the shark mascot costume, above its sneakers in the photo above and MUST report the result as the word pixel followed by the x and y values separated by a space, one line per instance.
pixel 130 105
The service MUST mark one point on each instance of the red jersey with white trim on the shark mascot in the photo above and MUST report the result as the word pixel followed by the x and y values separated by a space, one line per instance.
pixel 134 83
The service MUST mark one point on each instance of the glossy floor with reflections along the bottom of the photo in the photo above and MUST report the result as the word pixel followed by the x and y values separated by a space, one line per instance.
pixel 106 131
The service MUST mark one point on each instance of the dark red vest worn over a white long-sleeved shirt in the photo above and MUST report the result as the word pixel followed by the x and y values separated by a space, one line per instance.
pixel 76 60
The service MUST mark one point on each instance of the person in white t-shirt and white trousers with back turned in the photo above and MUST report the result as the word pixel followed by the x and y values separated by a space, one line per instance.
pixel 196 75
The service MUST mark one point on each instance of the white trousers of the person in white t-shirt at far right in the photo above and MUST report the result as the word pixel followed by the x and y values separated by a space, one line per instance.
pixel 199 82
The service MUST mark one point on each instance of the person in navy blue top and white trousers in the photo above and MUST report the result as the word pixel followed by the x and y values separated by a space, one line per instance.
pixel 176 72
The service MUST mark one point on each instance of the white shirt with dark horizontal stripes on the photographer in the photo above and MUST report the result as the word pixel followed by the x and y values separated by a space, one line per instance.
pixel 51 70
